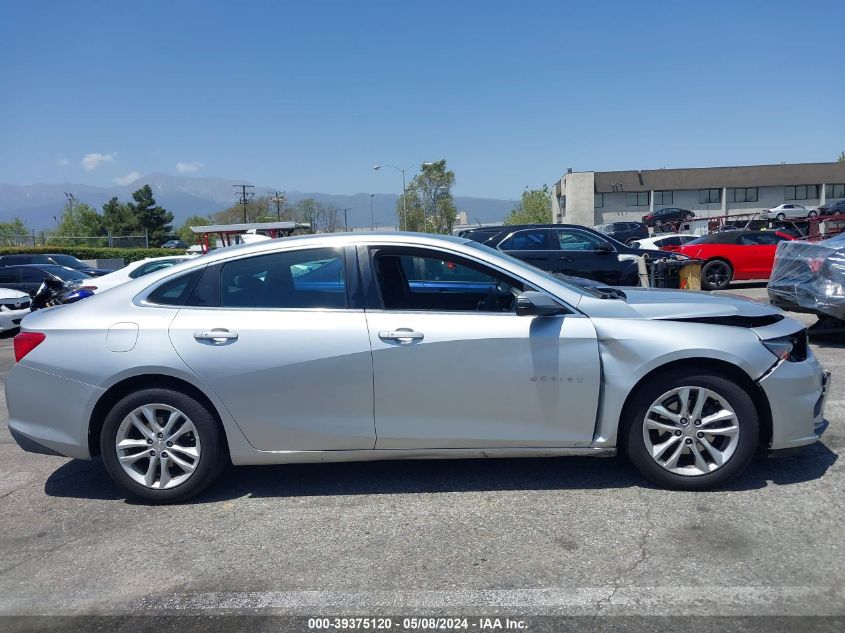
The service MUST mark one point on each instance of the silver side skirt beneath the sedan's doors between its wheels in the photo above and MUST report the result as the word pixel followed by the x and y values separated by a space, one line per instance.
pixel 305 457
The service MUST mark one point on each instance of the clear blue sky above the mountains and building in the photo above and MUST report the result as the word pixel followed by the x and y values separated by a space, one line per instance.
pixel 309 95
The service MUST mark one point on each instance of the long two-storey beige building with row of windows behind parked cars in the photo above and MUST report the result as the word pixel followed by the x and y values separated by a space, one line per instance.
pixel 592 197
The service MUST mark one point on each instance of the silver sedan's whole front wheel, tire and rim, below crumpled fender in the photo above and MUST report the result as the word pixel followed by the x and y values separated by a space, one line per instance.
pixel 692 431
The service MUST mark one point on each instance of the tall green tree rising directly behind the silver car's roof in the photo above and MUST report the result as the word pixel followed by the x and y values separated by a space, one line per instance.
pixel 427 205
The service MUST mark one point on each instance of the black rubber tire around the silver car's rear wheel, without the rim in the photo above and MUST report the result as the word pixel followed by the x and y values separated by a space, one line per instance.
pixel 212 458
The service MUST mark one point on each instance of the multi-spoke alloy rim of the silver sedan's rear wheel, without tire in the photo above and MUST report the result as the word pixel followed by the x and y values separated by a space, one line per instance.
pixel 158 446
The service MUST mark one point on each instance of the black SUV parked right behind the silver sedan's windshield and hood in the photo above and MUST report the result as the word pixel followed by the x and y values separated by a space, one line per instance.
pixel 571 250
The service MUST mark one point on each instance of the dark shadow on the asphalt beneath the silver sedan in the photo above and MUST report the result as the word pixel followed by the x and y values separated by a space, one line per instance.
pixel 88 480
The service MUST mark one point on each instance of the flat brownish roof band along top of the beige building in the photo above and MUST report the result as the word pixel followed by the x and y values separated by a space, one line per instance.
pixel 717 177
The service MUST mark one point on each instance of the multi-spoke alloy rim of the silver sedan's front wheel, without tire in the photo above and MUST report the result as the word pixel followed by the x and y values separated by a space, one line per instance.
pixel 691 431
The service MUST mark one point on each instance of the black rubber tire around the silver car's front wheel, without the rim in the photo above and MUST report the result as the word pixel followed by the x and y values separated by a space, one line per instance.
pixel 635 448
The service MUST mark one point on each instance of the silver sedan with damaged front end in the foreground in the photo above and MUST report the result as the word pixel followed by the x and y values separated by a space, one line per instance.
pixel 389 346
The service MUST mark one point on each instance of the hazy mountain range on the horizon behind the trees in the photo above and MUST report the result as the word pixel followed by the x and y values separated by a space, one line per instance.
pixel 40 204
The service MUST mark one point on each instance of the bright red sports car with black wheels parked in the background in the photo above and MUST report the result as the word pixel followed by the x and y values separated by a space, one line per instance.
pixel 734 255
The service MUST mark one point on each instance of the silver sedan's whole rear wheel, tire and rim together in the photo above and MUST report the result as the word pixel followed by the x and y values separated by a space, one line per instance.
pixel 162 445
